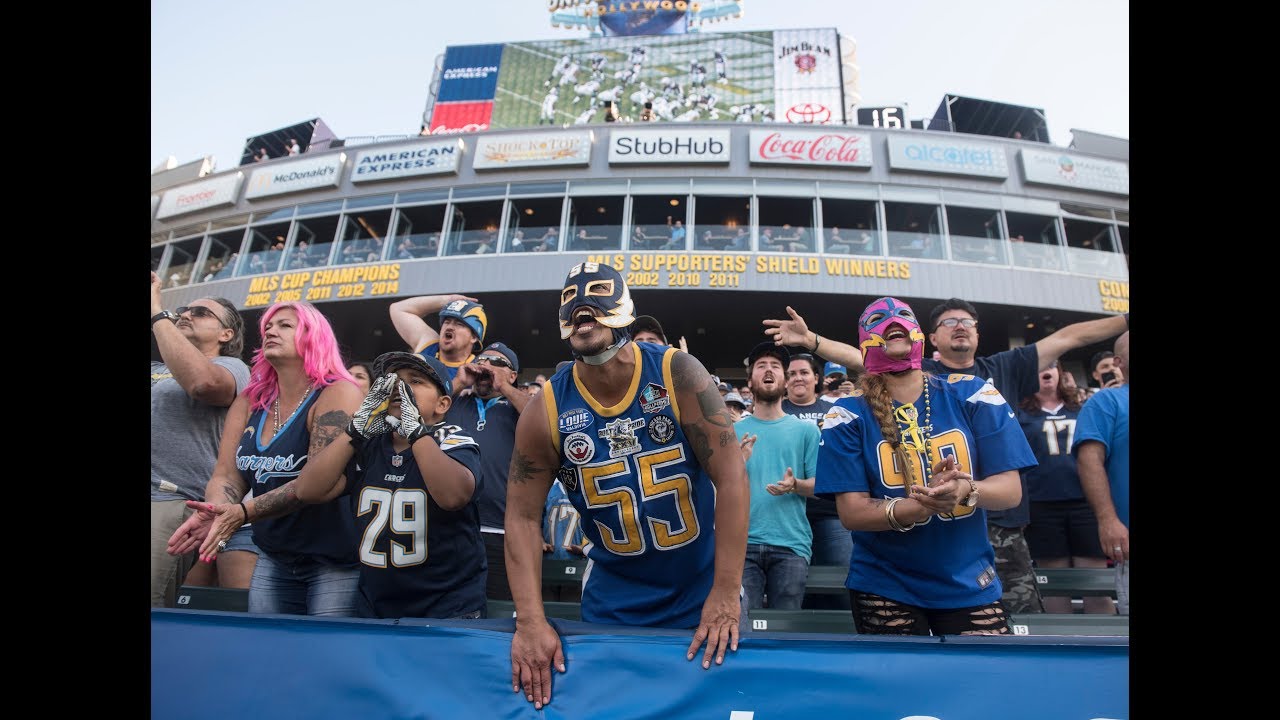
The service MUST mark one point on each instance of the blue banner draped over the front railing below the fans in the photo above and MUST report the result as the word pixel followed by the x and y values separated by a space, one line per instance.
pixel 220 666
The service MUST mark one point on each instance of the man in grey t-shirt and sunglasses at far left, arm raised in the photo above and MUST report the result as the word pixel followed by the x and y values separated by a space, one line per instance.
pixel 198 379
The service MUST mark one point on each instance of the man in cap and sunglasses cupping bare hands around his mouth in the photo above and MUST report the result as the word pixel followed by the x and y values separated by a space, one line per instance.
pixel 490 414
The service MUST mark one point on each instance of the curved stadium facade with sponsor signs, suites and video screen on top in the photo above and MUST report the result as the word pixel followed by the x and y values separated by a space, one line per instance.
pixel 781 204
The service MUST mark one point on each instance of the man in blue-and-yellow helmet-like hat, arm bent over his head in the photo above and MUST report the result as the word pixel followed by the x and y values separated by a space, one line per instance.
pixel 463 325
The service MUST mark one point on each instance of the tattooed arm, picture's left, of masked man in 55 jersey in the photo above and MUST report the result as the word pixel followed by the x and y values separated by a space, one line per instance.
pixel 534 463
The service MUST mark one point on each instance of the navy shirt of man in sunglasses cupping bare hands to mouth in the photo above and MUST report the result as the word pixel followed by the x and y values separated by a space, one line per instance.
pixel 492 423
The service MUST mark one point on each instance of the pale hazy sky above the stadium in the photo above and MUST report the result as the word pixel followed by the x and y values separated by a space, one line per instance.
pixel 223 72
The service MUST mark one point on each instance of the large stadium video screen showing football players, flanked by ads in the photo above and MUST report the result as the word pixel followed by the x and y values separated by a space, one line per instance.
pixel 771 76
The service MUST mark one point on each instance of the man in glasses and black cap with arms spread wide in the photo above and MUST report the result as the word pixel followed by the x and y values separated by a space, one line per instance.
pixel 1016 373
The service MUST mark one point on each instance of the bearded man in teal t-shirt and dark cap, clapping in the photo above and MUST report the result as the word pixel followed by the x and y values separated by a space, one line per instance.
pixel 781 472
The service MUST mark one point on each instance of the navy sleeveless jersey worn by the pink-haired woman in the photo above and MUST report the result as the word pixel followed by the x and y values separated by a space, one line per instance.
pixel 323 531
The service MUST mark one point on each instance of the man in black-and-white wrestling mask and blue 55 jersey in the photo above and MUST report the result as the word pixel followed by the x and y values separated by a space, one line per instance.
pixel 642 441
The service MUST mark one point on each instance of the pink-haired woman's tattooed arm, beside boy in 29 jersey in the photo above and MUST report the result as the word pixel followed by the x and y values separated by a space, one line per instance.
pixel 327 422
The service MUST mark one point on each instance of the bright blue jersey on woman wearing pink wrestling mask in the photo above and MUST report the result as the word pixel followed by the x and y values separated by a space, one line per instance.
pixel 944 563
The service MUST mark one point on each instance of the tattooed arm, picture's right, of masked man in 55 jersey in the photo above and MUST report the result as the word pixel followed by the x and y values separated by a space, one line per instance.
pixel 710 432
